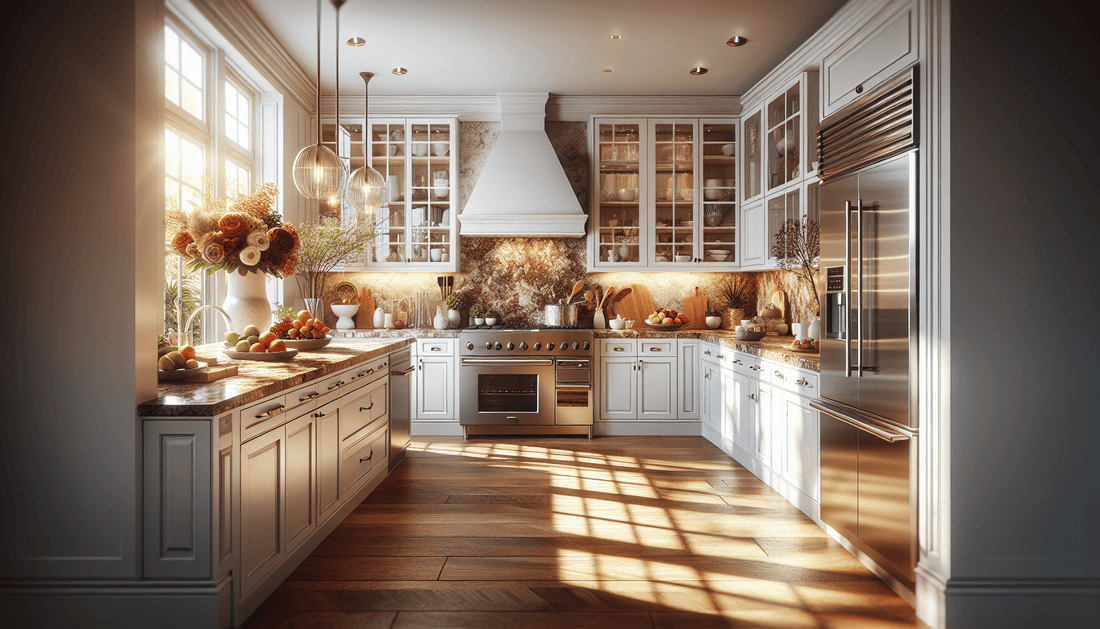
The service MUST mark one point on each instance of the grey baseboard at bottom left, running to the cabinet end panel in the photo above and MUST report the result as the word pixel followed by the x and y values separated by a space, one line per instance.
pixel 123 605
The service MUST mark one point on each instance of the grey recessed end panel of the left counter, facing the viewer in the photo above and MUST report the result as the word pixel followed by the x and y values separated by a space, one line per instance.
pixel 177 488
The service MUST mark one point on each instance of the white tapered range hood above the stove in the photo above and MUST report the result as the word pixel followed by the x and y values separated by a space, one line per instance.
pixel 523 192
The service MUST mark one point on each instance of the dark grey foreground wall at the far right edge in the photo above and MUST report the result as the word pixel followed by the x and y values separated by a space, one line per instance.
pixel 1025 228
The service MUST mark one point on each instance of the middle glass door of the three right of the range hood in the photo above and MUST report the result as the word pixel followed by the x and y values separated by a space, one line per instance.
pixel 675 193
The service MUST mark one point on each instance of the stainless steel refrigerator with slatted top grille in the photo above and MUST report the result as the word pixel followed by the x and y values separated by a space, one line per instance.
pixel 868 157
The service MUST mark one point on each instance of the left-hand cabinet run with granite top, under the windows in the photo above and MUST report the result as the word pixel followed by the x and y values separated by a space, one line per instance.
pixel 243 478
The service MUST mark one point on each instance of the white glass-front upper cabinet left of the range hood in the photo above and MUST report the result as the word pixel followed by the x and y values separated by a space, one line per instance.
pixel 417 228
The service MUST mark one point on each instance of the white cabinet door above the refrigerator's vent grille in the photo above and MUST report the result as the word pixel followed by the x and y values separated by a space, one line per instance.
pixel 882 49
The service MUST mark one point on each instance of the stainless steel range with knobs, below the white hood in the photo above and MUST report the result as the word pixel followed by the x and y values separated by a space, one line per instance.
pixel 531 382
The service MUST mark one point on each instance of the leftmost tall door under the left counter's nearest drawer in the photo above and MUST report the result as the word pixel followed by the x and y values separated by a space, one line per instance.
pixel 262 512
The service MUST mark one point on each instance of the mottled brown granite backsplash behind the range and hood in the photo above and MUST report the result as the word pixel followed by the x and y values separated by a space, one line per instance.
pixel 516 277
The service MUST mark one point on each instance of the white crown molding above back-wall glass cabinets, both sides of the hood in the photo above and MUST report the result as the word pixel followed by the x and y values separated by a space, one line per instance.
pixel 558 109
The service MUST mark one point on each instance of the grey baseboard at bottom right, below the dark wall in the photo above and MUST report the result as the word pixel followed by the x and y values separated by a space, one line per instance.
pixel 1021 603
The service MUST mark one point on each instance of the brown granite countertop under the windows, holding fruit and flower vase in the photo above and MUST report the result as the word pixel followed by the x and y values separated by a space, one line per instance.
pixel 258 380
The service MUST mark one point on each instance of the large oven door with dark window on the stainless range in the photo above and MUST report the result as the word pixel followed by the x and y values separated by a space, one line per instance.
pixel 507 392
